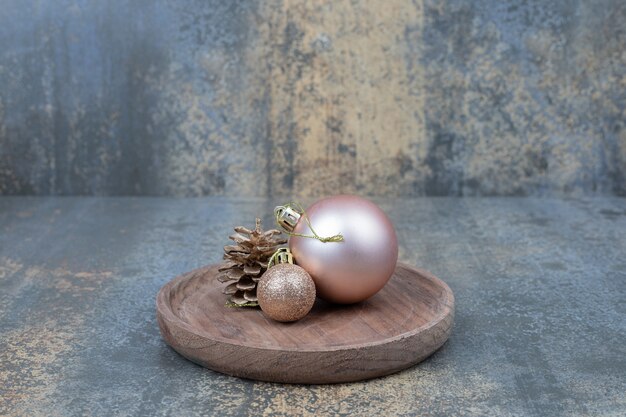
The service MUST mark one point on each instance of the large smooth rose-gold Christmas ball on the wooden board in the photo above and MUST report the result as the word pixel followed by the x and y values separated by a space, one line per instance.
pixel 357 268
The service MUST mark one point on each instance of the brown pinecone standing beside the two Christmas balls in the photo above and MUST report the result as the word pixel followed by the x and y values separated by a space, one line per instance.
pixel 246 261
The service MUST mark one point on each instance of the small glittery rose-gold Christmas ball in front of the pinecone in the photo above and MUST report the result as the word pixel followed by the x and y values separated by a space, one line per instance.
pixel 286 292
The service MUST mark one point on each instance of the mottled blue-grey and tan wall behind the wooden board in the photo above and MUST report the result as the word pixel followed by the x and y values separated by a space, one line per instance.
pixel 197 97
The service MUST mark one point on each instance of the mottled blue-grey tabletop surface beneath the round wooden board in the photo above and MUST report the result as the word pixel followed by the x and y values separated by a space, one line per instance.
pixel 540 326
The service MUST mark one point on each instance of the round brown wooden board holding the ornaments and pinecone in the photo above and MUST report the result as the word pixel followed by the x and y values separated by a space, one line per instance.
pixel 408 320
